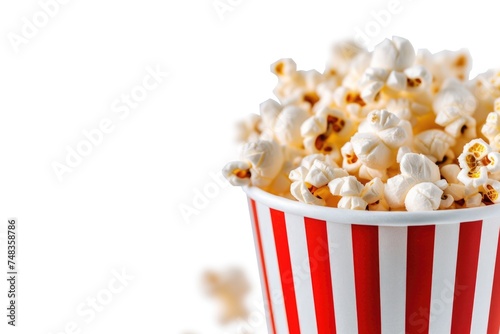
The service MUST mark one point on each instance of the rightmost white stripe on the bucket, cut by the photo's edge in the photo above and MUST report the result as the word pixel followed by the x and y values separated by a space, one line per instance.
pixel 485 273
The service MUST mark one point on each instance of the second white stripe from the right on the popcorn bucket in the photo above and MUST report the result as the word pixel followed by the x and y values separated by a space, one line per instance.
pixel 443 278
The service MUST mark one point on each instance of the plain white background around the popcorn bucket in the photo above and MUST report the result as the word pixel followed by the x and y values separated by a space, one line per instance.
pixel 119 209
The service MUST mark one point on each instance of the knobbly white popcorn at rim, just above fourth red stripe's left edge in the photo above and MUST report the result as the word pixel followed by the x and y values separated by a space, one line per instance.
pixel 350 189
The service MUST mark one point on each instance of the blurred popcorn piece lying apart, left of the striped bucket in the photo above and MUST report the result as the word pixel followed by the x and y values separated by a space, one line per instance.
pixel 230 288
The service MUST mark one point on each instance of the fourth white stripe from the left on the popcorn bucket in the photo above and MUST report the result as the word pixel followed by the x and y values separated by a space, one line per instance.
pixel 392 250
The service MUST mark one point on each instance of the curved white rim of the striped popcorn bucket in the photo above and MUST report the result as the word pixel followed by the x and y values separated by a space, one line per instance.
pixel 374 218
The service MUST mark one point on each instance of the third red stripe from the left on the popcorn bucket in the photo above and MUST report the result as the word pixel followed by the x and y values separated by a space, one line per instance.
pixel 319 262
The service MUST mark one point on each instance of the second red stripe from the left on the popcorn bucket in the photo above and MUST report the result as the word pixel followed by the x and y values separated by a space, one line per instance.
pixel 286 274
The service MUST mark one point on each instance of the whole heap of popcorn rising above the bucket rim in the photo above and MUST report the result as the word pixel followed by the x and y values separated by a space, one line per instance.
pixel 392 129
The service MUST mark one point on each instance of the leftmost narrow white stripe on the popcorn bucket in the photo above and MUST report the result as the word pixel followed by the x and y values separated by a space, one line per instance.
pixel 273 274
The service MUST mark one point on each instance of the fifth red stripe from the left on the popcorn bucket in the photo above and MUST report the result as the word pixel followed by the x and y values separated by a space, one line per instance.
pixel 419 259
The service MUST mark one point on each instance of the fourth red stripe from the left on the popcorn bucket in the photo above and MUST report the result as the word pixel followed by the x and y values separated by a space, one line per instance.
pixel 367 278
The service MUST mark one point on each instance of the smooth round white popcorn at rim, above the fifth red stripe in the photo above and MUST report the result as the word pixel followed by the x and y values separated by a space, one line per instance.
pixel 425 196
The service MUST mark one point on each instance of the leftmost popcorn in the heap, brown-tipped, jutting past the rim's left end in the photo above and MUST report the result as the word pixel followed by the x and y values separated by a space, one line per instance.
pixel 260 163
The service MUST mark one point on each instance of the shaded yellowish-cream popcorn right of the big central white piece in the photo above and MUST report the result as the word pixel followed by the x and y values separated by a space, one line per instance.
pixel 435 145
